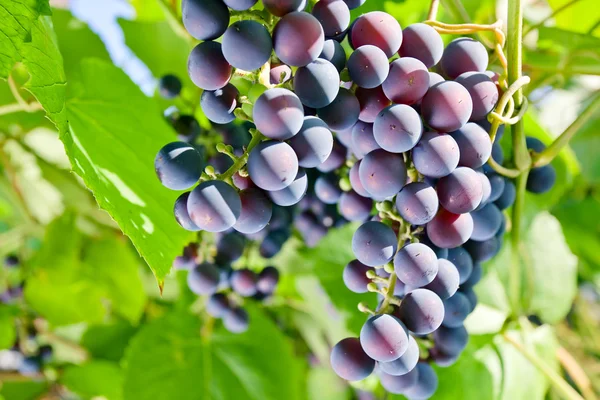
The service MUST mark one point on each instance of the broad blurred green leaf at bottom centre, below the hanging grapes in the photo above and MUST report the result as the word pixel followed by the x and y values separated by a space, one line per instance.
pixel 168 360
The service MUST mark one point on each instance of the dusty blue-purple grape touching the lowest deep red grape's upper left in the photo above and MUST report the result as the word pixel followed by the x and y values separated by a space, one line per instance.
pixel 417 203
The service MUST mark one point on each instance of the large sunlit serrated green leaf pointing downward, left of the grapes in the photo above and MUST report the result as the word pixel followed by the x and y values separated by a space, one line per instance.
pixel 115 133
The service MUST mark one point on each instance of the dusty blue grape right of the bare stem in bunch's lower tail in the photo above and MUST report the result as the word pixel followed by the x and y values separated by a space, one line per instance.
pixel 416 264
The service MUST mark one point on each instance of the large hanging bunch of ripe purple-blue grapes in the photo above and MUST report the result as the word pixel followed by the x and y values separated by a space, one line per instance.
pixel 359 121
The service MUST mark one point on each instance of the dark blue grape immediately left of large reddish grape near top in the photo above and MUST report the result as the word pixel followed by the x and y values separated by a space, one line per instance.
pixel 247 45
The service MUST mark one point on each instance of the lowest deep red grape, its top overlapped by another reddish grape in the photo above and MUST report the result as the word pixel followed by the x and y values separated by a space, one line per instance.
pixel 448 230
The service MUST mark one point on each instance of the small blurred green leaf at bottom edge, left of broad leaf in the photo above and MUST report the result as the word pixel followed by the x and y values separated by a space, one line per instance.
pixel 95 379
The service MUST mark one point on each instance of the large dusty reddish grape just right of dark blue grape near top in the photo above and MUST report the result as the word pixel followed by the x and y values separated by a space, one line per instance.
pixel 298 39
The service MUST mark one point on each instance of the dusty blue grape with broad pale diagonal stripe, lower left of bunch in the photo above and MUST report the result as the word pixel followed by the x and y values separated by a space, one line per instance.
pixel 214 206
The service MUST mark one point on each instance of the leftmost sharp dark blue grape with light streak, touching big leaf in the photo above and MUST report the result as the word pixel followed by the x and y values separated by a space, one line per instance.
pixel 178 166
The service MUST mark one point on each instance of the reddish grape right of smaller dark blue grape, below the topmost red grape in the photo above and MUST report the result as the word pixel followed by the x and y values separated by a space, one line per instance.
pixel 407 81
